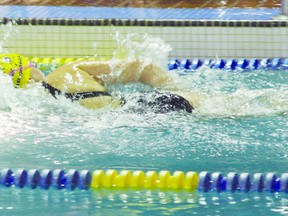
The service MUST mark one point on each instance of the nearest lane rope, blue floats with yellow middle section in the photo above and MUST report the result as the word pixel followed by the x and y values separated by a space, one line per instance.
pixel 204 181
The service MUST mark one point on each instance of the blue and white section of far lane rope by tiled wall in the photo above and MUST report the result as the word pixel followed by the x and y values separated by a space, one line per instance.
pixel 229 64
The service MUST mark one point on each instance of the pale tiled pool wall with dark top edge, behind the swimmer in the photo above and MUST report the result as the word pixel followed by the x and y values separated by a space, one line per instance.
pixel 207 38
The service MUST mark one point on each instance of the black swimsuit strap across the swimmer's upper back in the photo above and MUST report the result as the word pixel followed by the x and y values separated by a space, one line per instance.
pixel 74 96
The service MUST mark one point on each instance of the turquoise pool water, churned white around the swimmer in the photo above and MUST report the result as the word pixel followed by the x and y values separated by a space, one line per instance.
pixel 241 126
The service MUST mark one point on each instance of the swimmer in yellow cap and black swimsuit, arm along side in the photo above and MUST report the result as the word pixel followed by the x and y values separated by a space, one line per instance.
pixel 85 81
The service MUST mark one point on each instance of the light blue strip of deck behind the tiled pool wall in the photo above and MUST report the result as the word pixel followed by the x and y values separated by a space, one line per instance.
pixel 84 13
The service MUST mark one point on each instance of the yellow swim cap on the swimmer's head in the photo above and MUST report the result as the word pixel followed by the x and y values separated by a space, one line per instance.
pixel 16 66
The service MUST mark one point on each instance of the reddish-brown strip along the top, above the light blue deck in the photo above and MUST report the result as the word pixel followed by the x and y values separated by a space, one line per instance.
pixel 151 3
